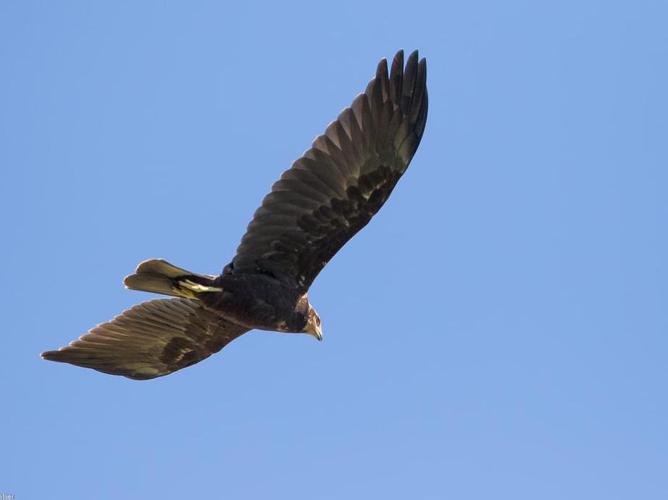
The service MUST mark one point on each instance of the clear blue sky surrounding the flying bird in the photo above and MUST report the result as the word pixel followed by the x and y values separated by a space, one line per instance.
pixel 498 331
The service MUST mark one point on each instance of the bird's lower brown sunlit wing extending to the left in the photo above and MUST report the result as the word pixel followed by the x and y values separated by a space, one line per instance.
pixel 151 339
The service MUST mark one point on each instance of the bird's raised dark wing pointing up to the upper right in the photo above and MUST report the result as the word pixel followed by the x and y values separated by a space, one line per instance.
pixel 334 189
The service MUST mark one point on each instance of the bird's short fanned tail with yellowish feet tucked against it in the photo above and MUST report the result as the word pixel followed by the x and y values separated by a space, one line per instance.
pixel 159 276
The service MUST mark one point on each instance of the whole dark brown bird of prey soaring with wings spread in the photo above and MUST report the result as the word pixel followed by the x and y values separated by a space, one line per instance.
pixel 316 207
